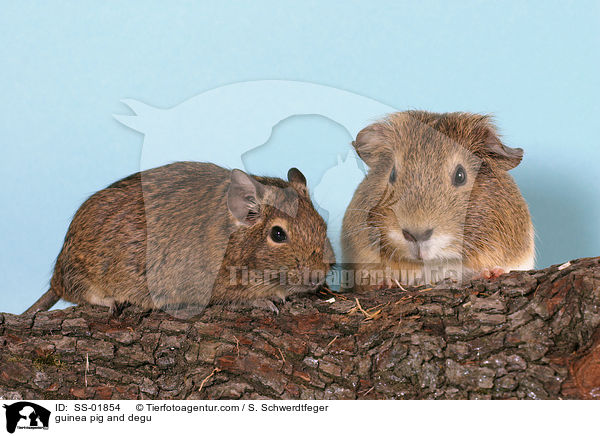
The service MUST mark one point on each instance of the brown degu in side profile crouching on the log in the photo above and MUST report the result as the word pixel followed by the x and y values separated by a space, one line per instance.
pixel 184 235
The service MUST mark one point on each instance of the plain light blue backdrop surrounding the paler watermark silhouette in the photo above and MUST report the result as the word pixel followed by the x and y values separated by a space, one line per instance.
pixel 64 67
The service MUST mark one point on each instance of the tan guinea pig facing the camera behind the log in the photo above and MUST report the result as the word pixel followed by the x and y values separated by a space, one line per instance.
pixel 437 202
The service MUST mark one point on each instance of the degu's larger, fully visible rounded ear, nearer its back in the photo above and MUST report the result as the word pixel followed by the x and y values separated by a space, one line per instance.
pixel 243 198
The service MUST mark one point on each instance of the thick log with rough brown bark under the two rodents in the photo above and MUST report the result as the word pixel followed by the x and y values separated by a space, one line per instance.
pixel 527 335
